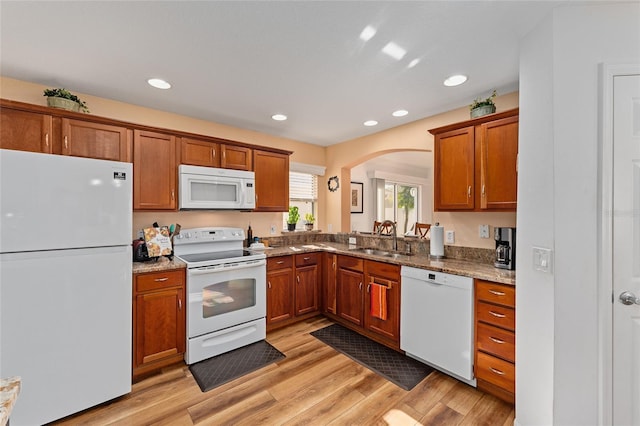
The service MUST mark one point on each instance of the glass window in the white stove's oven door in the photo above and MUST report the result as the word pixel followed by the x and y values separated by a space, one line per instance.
pixel 228 296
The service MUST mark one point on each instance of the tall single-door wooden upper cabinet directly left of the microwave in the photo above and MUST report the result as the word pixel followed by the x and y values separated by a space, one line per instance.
pixel 154 171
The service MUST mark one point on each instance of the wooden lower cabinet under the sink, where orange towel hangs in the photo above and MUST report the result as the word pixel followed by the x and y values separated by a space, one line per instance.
pixel 354 280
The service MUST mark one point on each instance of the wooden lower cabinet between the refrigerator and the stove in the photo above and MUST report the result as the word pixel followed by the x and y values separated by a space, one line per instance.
pixel 159 320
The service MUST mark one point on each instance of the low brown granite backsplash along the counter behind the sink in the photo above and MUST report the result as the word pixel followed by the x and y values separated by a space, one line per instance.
pixel 415 245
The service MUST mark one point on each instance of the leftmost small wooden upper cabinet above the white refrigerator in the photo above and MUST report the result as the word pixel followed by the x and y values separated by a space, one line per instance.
pixel 26 131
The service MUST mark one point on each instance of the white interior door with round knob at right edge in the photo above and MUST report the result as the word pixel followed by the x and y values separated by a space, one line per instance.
pixel 626 250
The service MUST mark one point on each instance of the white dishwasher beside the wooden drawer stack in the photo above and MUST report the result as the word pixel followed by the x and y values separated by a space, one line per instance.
pixel 436 321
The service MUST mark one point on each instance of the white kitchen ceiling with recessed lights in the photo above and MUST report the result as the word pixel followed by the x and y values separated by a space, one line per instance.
pixel 240 62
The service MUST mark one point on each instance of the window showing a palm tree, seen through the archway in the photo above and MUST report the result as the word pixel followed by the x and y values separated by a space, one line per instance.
pixel 401 205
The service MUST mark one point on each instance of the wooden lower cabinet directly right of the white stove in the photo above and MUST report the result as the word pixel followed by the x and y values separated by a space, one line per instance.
pixel 293 288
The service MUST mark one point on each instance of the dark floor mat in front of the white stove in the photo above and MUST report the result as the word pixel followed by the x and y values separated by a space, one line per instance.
pixel 224 368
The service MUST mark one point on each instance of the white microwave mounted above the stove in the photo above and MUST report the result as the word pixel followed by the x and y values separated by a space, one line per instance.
pixel 209 188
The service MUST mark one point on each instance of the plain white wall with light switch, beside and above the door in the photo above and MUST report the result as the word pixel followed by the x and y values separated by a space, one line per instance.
pixel 557 330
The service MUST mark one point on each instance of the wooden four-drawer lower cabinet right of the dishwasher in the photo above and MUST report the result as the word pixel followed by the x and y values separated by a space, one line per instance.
pixel 495 351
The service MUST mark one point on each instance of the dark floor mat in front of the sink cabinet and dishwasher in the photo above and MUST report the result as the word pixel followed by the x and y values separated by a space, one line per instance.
pixel 403 371
